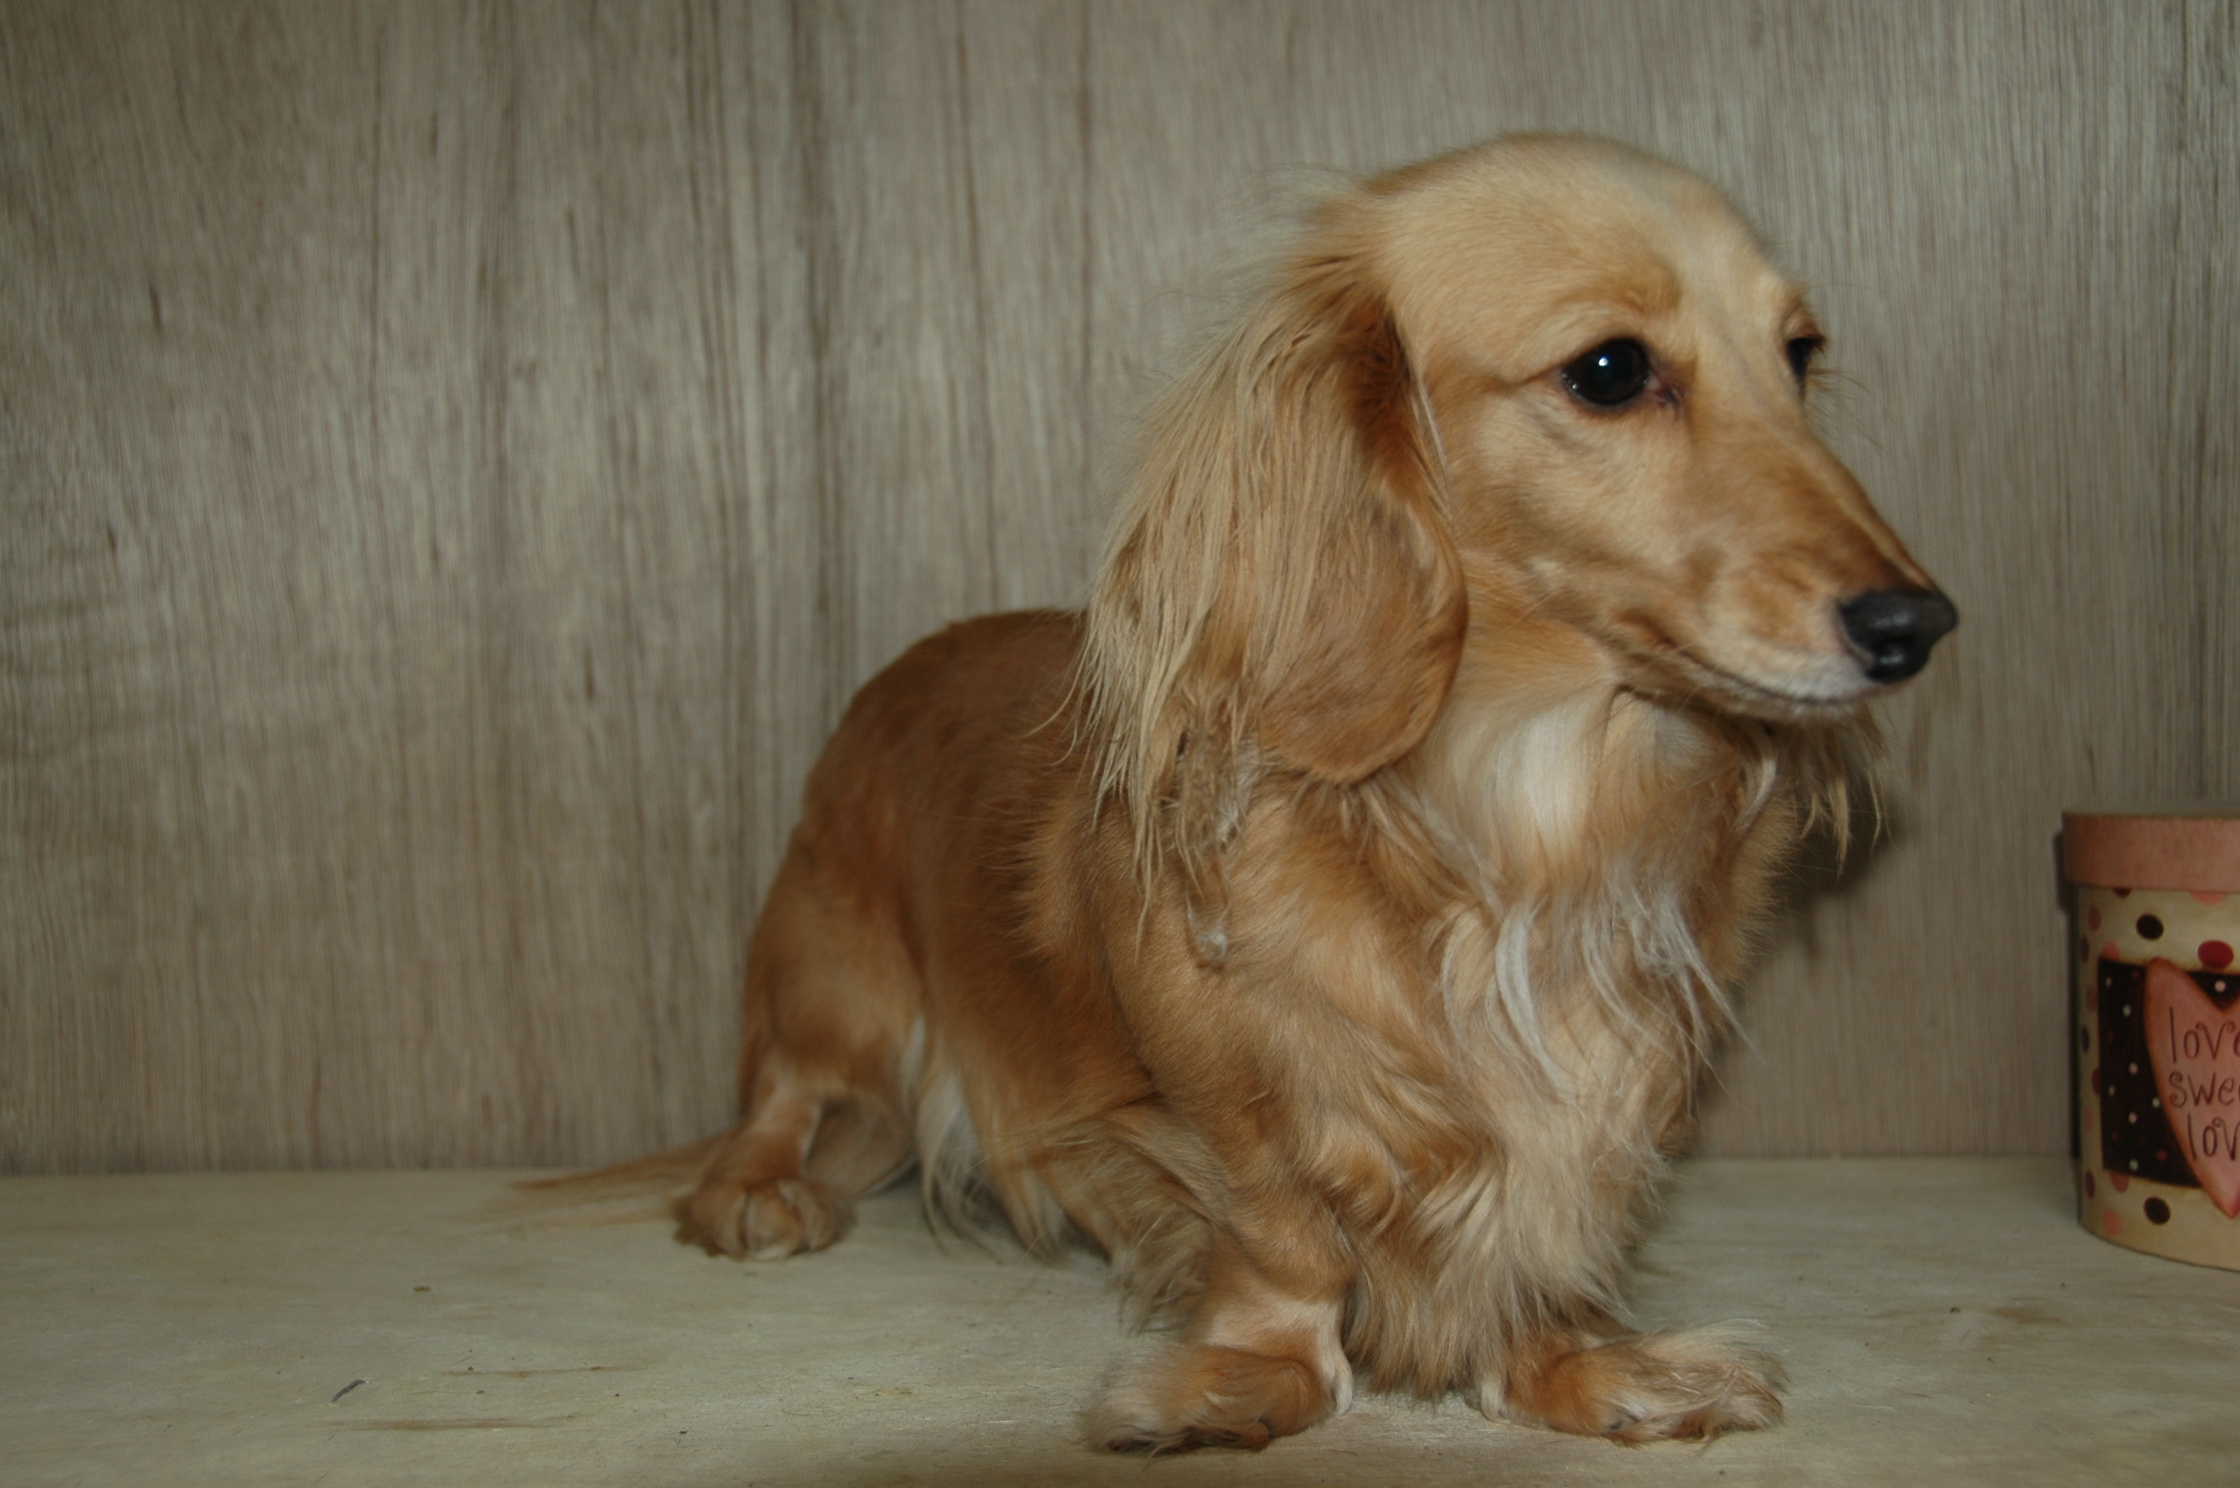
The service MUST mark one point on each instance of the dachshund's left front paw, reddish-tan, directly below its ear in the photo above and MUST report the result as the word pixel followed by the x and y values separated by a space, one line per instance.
pixel 1208 1397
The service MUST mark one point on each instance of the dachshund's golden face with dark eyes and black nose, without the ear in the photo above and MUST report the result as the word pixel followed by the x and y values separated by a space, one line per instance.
pixel 1618 391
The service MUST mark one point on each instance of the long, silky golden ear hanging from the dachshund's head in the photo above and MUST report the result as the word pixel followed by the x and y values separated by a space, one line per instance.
pixel 1282 590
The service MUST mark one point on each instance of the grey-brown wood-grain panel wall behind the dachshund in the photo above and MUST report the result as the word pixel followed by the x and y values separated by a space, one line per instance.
pixel 460 461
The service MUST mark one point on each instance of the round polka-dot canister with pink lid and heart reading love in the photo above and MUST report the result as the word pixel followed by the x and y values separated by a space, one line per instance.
pixel 2158 1027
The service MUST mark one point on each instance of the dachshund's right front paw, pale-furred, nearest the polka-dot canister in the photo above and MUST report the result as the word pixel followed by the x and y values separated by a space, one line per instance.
pixel 1681 1386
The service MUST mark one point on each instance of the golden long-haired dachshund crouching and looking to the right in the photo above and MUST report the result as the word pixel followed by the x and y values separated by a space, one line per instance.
pixel 1334 922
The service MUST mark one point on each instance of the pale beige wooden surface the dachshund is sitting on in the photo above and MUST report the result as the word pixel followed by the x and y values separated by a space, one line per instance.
pixel 1943 1321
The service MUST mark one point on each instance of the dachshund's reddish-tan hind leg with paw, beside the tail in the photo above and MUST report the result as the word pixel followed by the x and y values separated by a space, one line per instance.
pixel 830 1010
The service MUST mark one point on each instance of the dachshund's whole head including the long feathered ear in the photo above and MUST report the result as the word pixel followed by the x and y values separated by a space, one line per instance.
pixel 1544 387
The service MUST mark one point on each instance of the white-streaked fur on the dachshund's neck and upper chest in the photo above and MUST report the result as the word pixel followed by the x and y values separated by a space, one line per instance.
pixel 1596 835
